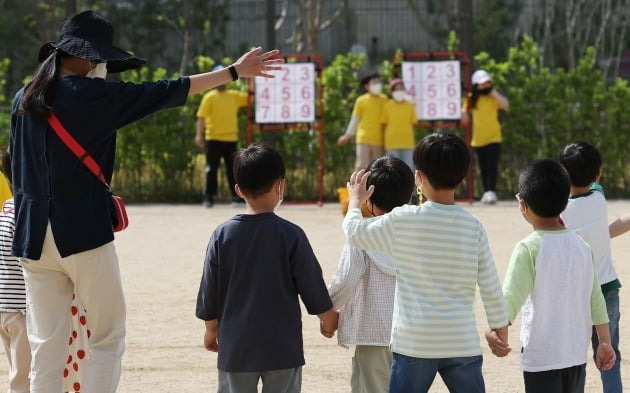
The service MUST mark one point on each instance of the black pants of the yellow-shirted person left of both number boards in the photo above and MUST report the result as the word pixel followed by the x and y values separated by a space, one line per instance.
pixel 215 150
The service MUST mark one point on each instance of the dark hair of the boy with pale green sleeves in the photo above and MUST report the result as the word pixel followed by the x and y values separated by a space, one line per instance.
pixel 544 187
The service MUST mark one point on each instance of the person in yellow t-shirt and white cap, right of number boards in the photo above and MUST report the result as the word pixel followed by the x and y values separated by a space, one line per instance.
pixel 482 108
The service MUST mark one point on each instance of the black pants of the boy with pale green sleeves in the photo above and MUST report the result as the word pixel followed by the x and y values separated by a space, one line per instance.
pixel 565 380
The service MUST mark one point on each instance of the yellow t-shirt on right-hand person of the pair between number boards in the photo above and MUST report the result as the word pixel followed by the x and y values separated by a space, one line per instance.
pixel 399 118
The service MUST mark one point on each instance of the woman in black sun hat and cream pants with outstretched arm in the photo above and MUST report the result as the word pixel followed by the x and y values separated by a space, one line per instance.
pixel 63 230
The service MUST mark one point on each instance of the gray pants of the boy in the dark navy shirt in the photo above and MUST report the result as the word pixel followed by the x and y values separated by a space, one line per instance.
pixel 274 381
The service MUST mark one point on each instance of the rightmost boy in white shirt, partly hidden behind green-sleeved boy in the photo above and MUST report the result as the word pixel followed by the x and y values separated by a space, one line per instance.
pixel 587 214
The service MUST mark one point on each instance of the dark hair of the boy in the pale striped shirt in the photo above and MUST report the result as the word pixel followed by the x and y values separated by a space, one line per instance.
pixel 443 158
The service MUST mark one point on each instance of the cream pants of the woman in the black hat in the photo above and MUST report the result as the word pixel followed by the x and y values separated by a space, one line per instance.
pixel 94 276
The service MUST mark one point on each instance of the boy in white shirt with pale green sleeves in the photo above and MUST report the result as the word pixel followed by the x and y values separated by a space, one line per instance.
pixel 552 272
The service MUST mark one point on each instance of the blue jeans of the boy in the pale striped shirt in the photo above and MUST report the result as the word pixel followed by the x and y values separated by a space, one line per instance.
pixel 415 375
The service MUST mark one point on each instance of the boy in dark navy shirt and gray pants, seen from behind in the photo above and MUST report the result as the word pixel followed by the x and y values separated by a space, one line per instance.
pixel 256 266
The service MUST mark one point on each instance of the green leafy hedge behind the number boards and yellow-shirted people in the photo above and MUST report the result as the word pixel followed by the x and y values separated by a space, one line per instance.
pixel 157 160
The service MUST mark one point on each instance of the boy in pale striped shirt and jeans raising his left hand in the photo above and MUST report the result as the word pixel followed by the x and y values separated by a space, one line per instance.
pixel 441 255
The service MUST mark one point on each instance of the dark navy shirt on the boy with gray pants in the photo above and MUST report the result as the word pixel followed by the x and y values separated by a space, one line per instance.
pixel 255 268
